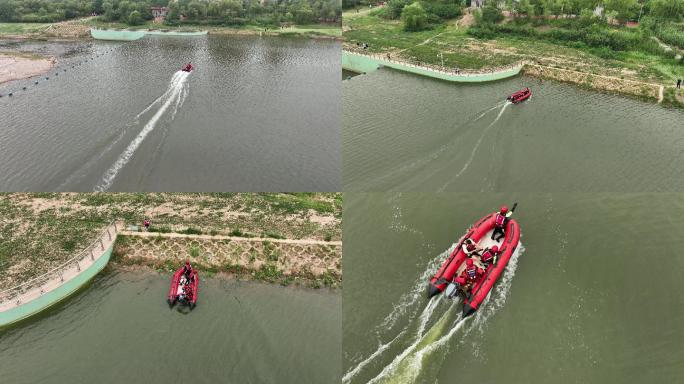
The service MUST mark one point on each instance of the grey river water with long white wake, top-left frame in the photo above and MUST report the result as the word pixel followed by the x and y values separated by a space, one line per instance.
pixel 256 114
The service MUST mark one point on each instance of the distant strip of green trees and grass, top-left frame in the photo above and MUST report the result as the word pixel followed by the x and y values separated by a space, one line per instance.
pixel 191 12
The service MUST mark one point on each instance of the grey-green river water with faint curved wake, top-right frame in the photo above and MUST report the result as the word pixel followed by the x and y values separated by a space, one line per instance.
pixel 410 133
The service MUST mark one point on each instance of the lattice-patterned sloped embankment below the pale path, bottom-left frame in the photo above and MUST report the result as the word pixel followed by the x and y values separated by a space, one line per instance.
pixel 295 258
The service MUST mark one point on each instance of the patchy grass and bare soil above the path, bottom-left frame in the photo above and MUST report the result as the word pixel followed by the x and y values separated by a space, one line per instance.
pixel 40 231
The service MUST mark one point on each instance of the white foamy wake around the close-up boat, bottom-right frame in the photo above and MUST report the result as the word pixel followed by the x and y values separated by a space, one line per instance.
pixel 438 323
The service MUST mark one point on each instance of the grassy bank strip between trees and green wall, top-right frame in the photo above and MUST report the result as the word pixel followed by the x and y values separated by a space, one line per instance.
pixel 459 44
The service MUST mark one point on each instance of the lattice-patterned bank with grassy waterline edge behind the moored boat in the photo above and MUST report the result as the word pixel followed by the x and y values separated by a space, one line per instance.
pixel 302 263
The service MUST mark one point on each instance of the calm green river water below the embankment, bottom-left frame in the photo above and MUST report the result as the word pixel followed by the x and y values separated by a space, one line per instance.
pixel 120 329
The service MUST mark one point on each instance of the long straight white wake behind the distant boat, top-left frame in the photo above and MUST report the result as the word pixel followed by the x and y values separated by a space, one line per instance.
pixel 174 96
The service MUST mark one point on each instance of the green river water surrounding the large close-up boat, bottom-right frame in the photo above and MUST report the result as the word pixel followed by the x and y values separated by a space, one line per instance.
pixel 592 296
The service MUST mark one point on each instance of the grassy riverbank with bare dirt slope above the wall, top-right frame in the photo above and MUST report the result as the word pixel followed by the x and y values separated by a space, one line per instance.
pixel 450 45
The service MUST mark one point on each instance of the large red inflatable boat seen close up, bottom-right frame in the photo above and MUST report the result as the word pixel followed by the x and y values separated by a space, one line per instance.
pixel 480 233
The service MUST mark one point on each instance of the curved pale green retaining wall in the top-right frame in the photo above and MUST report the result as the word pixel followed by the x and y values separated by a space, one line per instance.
pixel 363 64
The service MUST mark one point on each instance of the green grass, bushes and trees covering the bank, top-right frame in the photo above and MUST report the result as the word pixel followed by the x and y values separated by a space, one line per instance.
pixel 615 39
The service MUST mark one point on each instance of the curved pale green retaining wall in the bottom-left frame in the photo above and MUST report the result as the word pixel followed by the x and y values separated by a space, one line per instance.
pixel 56 295
